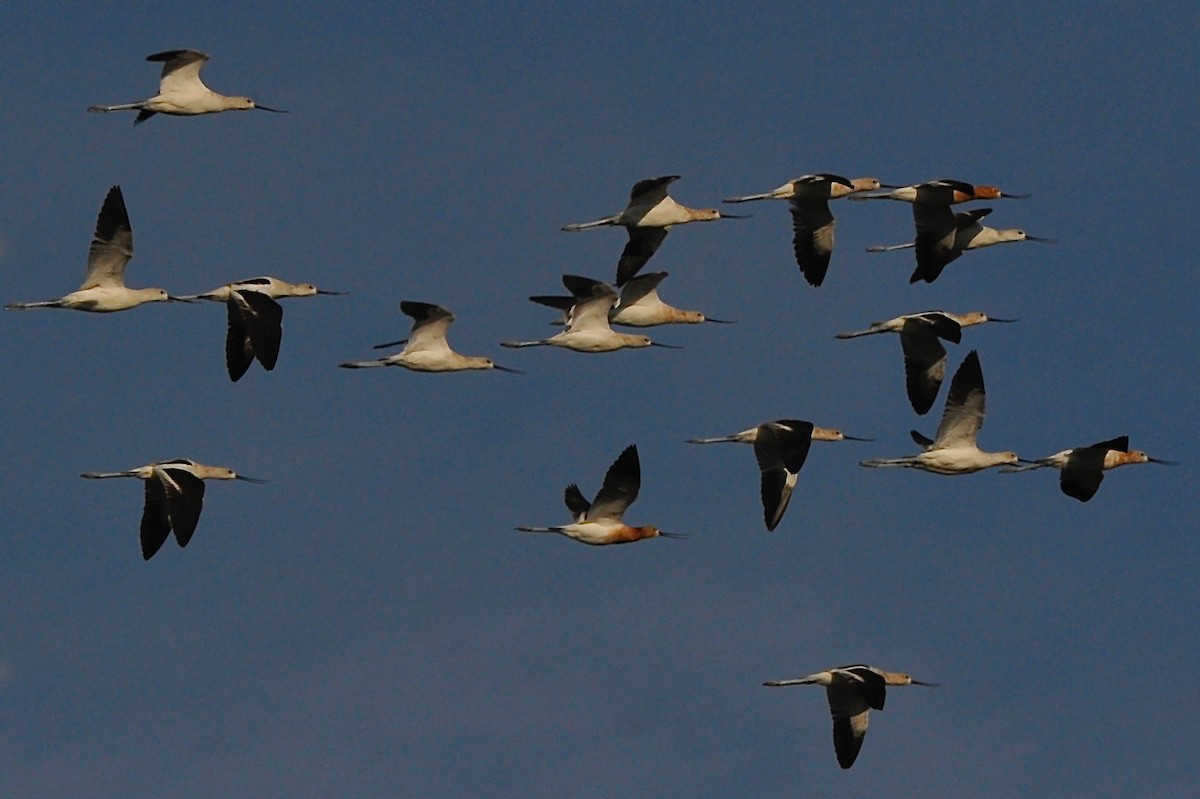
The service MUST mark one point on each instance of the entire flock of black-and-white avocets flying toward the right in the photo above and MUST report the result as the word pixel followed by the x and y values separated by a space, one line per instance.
pixel 175 490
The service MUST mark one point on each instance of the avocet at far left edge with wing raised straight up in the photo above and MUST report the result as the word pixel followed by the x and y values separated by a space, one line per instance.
pixel 112 249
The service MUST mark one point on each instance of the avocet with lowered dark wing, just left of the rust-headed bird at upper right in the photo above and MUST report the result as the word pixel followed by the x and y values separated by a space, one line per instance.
pixel 813 225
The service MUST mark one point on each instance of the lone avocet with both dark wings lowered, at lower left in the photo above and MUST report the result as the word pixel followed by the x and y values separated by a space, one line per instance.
pixel 175 498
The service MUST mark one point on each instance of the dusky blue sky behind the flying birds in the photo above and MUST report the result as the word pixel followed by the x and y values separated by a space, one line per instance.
pixel 369 624
